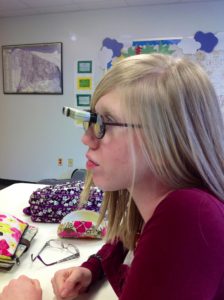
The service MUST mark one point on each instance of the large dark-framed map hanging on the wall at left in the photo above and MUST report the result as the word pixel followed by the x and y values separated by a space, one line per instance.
pixel 33 68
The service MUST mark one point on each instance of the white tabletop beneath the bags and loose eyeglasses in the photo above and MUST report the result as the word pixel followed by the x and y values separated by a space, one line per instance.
pixel 12 200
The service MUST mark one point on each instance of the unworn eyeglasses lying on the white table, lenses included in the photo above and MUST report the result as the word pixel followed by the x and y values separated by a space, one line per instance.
pixel 57 244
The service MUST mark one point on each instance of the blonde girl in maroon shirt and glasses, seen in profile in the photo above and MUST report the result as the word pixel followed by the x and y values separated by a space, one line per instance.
pixel 156 148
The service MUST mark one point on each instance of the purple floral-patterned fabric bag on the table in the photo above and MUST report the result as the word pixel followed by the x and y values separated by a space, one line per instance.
pixel 51 203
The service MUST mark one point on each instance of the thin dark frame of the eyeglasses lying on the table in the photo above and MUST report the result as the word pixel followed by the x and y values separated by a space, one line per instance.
pixel 47 244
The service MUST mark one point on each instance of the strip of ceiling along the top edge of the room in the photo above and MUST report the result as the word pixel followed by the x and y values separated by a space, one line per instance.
pixel 11 8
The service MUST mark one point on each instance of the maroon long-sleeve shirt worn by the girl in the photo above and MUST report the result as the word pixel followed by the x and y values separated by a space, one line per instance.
pixel 179 255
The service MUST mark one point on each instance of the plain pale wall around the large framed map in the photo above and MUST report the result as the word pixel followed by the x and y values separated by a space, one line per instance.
pixel 32 129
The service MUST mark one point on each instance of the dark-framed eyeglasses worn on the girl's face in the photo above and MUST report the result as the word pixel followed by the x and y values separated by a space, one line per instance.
pixel 99 126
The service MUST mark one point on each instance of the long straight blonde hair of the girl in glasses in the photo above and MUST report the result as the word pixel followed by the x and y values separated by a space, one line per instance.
pixel 182 133
